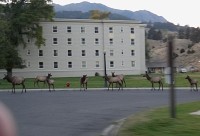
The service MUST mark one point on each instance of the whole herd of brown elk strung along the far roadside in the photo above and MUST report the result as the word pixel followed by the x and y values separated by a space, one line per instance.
pixel 118 80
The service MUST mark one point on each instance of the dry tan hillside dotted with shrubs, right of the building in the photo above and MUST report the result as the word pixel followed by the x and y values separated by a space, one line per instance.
pixel 187 54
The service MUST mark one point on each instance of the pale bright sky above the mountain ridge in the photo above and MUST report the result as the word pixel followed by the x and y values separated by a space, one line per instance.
pixel 182 12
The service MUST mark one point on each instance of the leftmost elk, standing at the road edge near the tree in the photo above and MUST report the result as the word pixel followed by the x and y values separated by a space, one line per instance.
pixel 15 80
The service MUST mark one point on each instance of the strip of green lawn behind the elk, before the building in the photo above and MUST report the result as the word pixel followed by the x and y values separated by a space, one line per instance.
pixel 132 81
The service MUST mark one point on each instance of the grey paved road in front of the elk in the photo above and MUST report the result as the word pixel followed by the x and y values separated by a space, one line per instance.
pixel 75 113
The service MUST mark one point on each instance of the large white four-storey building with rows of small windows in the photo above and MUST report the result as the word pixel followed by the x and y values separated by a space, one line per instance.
pixel 75 47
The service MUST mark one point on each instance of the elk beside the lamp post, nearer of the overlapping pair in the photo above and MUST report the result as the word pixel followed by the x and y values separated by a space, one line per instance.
pixel 112 80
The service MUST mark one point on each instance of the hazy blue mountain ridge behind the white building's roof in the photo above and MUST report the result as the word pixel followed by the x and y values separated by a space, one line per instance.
pixel 141 15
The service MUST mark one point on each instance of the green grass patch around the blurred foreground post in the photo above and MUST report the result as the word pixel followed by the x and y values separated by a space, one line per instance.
pixel 158 122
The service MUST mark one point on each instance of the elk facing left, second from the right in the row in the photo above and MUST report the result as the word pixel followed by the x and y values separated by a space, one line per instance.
pixel 154 80
